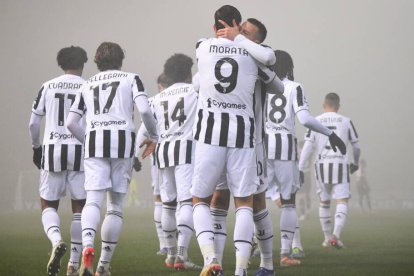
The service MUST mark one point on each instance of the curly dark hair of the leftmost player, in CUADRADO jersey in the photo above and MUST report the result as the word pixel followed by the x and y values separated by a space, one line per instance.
pixel 71 58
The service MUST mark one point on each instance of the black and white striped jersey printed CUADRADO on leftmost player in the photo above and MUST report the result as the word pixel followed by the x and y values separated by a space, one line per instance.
pixel 61 150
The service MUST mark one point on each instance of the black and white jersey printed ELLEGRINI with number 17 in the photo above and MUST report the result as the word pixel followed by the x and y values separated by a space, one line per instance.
pixel 107 99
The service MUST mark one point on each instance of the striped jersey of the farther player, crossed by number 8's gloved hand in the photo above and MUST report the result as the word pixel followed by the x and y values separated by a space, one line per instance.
pixel 332 167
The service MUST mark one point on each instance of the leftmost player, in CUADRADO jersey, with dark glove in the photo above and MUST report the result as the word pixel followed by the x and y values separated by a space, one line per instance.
pixel 60 160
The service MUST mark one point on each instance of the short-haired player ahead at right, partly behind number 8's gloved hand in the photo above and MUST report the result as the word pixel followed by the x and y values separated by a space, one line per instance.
pixel 332 169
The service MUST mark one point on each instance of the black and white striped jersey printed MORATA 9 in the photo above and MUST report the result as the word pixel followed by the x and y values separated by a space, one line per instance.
pixel 227 75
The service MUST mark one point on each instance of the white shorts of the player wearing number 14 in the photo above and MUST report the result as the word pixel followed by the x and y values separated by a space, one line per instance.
pixel 176 183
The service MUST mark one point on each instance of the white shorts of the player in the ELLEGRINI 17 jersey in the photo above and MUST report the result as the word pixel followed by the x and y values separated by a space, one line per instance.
pixel 108 173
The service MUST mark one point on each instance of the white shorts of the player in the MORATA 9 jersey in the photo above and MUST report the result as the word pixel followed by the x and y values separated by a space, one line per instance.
pixel 214 164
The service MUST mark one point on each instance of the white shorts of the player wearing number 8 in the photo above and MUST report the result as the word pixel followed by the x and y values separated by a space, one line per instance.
pixel 285 175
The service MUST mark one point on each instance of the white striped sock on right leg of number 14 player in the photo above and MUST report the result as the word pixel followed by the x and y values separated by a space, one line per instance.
pixel 185 228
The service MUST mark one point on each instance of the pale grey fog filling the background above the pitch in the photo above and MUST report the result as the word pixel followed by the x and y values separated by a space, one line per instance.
pixel 360 49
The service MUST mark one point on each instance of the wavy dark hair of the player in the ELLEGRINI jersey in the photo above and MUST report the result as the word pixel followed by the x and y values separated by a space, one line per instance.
pixel 109 56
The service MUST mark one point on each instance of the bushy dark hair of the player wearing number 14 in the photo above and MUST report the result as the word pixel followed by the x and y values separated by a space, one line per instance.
pixel 178 67
